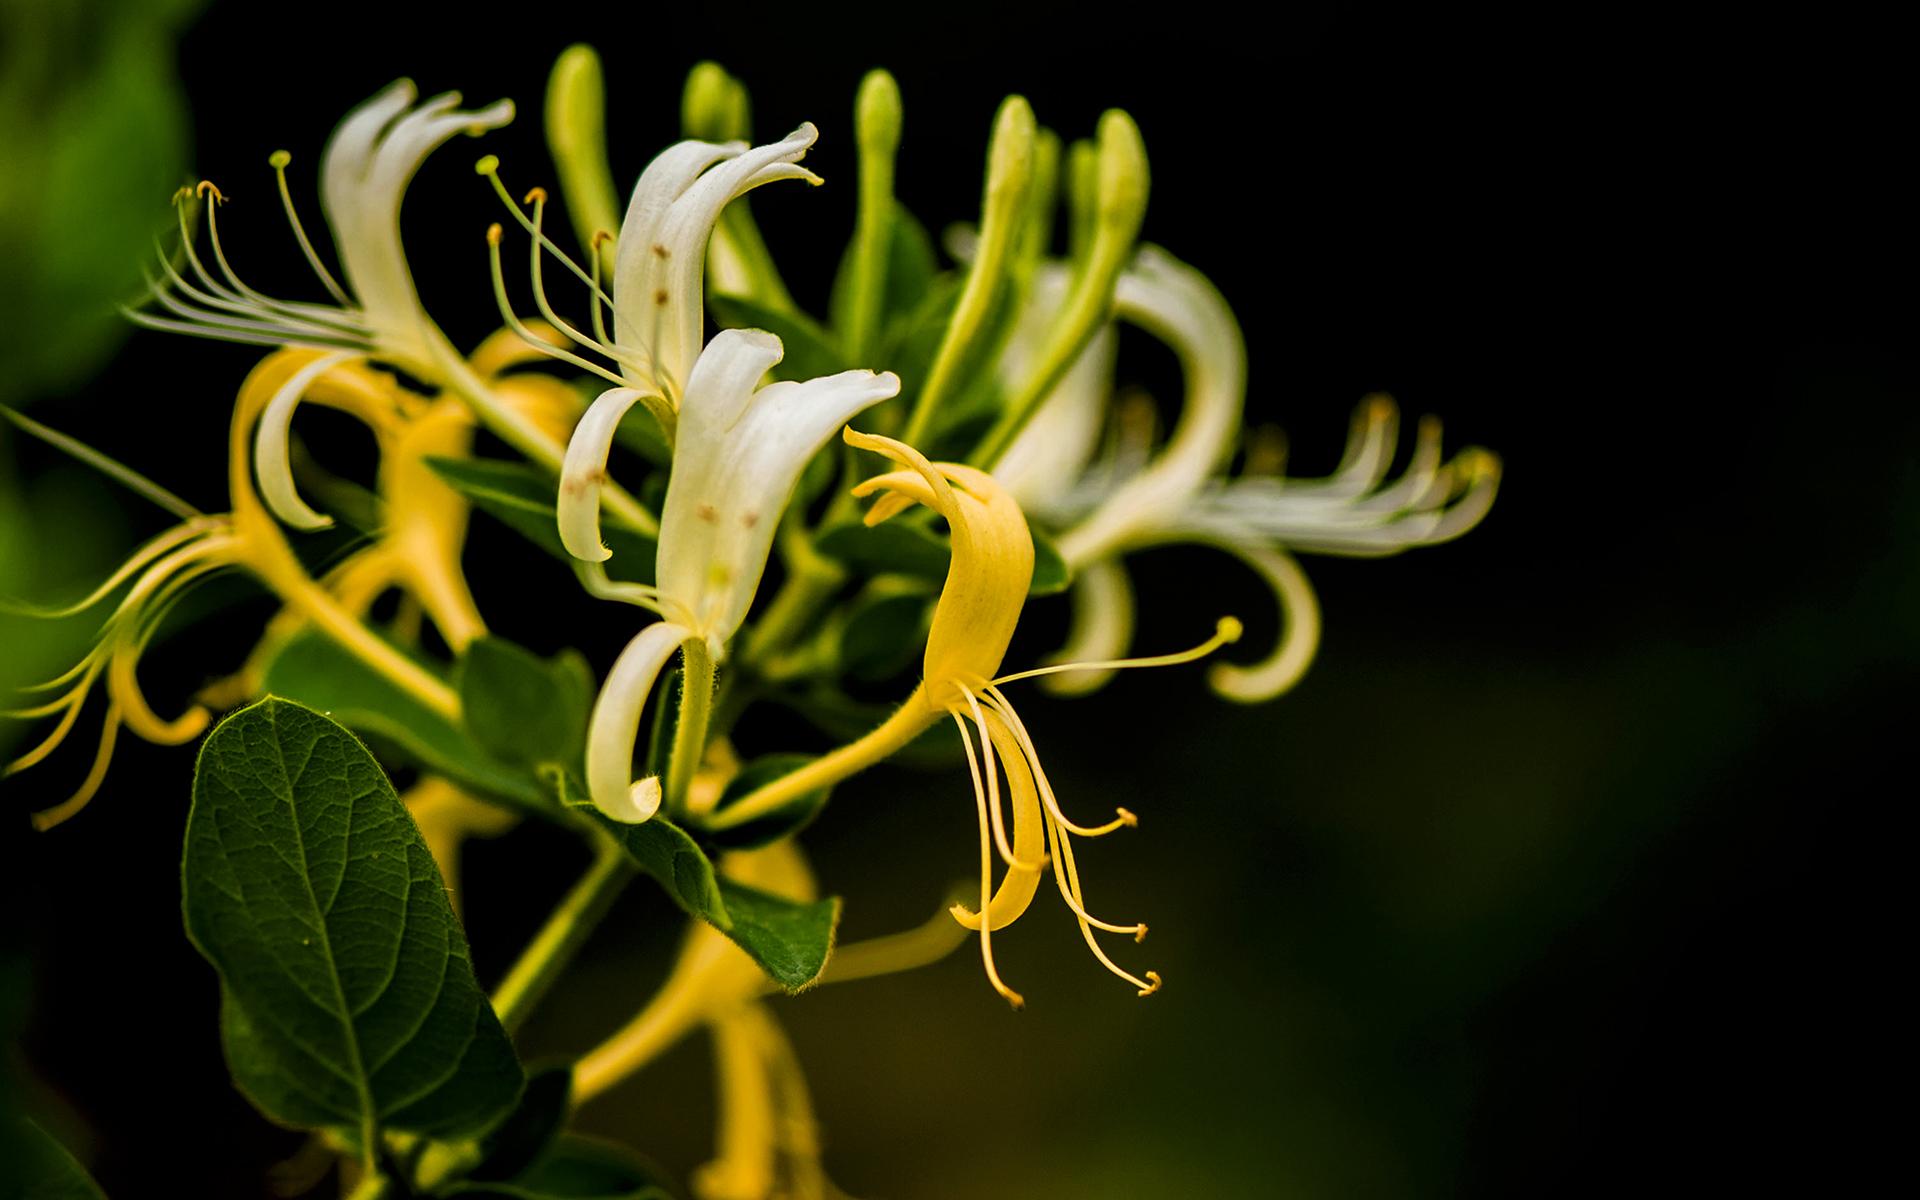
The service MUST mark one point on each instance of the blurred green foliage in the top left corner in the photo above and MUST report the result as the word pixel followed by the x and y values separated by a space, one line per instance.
pixel 95 132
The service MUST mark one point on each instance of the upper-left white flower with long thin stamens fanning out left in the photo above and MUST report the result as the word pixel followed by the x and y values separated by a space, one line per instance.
pixel 366 170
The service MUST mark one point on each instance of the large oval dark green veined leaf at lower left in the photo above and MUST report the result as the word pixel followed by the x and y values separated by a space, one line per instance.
pixel 352 999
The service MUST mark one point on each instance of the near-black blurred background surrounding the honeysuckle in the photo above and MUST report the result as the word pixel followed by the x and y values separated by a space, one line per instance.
pixel 1573 863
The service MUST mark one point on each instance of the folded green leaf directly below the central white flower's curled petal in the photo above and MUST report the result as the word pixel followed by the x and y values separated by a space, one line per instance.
pixel 790 940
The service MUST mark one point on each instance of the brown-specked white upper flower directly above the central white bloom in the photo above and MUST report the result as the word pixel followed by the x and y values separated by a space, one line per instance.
pixel 658 302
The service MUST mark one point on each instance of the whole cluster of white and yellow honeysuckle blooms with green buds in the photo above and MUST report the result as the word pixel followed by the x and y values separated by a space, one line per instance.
pixel 1003 414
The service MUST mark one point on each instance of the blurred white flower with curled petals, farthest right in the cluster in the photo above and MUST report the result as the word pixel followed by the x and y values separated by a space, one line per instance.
pixel 1140 496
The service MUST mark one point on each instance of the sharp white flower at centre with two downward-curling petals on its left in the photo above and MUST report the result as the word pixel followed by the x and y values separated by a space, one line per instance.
pixel 738 456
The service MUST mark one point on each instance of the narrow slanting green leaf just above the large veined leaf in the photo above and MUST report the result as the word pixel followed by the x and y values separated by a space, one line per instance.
pixel 314 671
